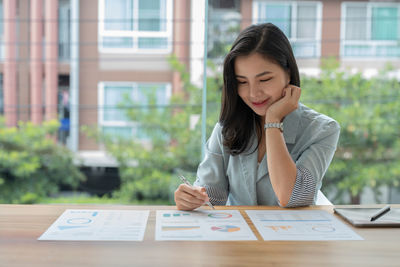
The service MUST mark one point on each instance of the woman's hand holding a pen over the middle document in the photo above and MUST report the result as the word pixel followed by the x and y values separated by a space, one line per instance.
pixel 190 197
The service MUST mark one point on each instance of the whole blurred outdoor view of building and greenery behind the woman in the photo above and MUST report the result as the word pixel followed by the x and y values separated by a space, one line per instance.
pixel 106 101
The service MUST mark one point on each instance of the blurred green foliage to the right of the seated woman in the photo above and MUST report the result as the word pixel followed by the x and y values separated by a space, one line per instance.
pixel 368 111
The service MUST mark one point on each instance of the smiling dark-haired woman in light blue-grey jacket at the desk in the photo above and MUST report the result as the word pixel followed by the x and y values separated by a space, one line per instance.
pixel 267 148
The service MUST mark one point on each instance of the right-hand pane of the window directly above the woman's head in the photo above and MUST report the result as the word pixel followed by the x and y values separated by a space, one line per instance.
pixel 306 21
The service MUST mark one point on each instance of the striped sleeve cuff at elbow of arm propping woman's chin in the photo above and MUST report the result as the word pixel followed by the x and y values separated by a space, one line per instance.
pixel 304 189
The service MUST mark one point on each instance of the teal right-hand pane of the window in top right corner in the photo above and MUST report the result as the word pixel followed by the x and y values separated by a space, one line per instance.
pixel 384 23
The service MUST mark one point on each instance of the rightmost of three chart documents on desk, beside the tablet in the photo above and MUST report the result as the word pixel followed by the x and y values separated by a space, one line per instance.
pixel 300 225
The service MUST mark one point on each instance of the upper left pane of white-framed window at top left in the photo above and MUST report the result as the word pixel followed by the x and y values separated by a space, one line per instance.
pixel 118 15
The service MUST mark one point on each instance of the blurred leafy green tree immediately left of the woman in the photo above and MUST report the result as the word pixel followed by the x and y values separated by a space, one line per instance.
pixel 148 167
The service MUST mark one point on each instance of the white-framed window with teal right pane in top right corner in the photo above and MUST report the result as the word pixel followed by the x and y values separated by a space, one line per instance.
pixel 370 30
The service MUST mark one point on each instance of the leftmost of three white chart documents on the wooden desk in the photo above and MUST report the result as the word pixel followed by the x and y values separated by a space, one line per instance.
pixel 98 225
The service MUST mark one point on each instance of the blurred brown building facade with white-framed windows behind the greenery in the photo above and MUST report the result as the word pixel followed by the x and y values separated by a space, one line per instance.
pixel 121 47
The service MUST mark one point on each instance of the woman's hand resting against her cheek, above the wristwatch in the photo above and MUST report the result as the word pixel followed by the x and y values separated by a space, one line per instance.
pixel 288 103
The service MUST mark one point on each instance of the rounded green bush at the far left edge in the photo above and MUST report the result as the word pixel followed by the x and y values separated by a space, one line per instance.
pixel 32 166
